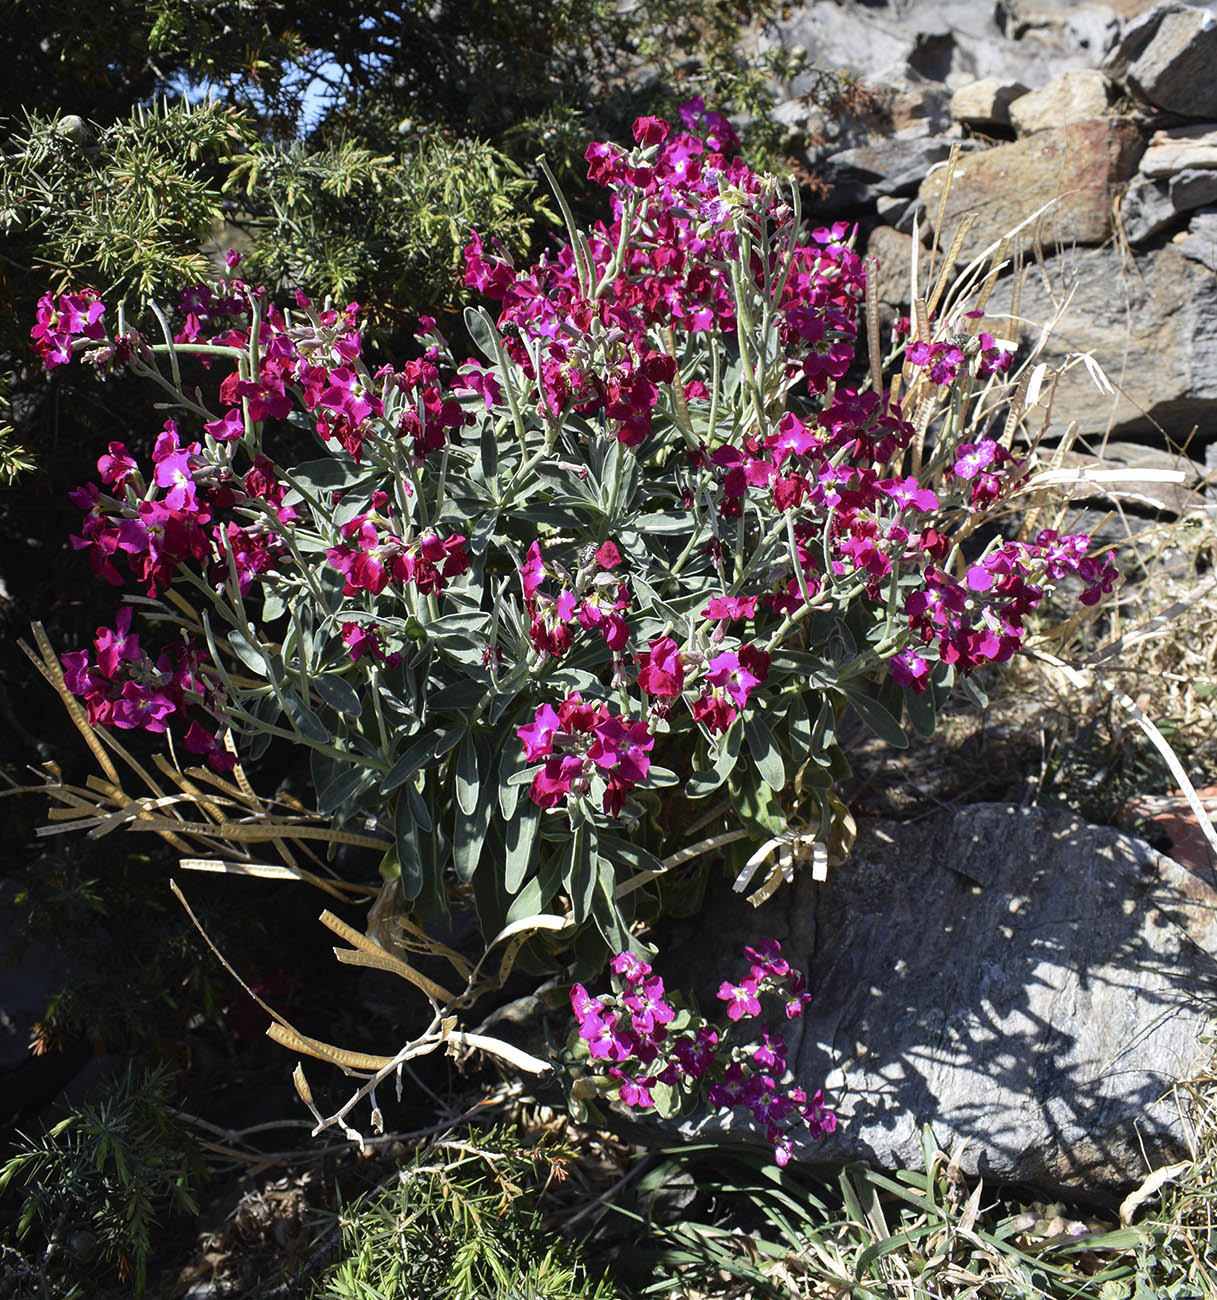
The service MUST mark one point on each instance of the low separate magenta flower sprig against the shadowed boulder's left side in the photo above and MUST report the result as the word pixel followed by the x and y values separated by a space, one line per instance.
pixel 635 1033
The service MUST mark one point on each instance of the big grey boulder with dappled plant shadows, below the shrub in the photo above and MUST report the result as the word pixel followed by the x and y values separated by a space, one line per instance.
pixel 1021 982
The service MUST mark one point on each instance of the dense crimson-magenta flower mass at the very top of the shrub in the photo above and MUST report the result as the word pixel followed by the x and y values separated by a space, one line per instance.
pixel 692 206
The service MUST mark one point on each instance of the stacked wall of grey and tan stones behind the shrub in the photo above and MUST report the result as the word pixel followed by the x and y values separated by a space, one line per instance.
pixel 1105 112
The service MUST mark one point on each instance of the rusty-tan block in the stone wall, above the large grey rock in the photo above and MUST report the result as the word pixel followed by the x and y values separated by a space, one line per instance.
pixel 1082 167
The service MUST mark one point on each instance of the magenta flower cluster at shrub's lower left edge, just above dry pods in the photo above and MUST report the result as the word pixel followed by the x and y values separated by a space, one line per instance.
pixel 124 687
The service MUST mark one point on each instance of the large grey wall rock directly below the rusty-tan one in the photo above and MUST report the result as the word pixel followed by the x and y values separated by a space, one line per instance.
pixel 1151 327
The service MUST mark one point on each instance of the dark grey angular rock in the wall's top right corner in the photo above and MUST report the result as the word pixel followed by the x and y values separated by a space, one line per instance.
pixel 1167 59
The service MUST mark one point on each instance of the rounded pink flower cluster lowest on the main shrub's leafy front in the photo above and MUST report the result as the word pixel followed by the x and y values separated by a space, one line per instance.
pixel 582 740
